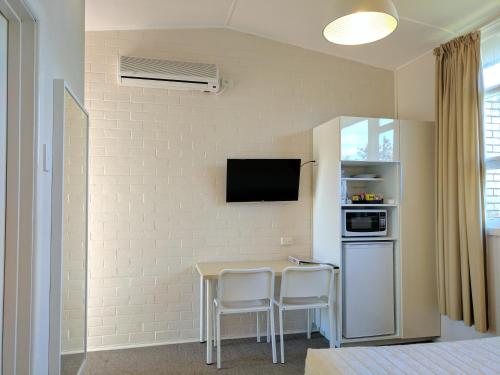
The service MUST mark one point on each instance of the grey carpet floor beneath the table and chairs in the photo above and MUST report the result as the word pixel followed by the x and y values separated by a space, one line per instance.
pixel 239 357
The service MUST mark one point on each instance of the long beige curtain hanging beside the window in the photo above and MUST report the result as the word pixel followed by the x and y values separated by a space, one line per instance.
pixel 460 181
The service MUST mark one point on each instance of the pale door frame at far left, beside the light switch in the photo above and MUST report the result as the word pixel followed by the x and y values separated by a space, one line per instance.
pixel 22 164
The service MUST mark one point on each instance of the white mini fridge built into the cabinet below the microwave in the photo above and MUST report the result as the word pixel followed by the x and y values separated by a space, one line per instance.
pixel 368 289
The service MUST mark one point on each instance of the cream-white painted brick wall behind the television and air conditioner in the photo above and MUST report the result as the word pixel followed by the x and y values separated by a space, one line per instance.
pixel 158 170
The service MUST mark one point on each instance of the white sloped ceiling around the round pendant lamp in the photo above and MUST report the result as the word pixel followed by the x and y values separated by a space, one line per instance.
pixel 423 25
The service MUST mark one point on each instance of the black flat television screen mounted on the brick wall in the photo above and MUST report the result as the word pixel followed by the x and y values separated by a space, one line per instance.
pixel 257 180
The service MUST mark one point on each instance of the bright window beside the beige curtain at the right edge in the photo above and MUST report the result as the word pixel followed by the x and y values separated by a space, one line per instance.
pixel 490 53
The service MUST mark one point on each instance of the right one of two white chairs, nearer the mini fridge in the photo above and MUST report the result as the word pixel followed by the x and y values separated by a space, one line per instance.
pixel 306 288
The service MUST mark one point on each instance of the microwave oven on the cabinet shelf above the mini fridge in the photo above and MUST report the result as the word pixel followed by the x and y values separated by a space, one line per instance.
pixel 364 223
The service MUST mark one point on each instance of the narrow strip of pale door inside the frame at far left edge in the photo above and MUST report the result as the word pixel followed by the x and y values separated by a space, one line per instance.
pixel 3 159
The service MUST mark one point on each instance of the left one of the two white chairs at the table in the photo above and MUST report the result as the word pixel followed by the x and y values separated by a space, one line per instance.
pixel 244 291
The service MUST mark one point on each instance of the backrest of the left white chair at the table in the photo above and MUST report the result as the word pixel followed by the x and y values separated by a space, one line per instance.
pixel 245 284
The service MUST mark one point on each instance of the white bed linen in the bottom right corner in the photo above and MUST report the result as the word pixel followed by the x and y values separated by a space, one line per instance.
pixel 470 357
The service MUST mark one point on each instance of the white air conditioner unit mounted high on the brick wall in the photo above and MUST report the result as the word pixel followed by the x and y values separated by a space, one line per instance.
pixel 136 71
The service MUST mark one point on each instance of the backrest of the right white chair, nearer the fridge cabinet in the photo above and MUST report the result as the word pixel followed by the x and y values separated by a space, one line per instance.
pixel 314 281
